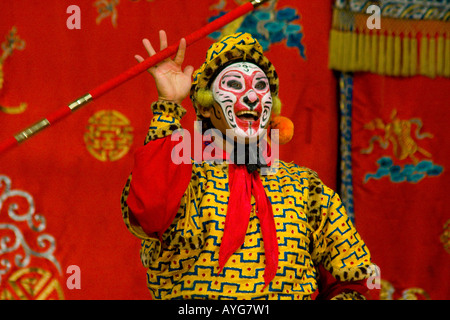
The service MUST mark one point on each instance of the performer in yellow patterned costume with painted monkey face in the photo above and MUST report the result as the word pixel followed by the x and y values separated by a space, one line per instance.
pixel 219 228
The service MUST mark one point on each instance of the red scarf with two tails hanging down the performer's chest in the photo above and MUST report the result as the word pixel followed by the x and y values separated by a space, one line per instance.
pixel 242 186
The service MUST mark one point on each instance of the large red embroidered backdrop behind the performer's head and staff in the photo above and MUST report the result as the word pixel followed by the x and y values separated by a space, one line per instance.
pixel 72 174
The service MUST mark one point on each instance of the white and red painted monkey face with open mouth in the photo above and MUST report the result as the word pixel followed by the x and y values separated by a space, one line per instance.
pixel 242 90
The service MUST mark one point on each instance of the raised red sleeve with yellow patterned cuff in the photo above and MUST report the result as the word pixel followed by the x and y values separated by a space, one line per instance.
pixel 153 192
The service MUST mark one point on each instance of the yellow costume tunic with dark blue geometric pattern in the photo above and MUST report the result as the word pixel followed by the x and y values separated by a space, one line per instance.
pixel 312 228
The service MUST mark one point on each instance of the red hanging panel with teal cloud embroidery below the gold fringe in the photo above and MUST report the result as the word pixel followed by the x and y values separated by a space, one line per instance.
pixel 400 185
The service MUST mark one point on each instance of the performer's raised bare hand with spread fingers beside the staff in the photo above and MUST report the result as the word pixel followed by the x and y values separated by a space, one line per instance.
pixel 172 83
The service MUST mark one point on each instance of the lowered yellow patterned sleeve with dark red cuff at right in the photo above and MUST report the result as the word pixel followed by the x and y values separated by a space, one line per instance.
pixel 340 255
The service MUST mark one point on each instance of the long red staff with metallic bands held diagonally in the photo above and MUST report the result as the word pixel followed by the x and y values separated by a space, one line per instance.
pixel 125 76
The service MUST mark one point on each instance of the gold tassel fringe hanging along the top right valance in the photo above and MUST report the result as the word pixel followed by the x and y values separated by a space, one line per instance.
pixel 400 48
